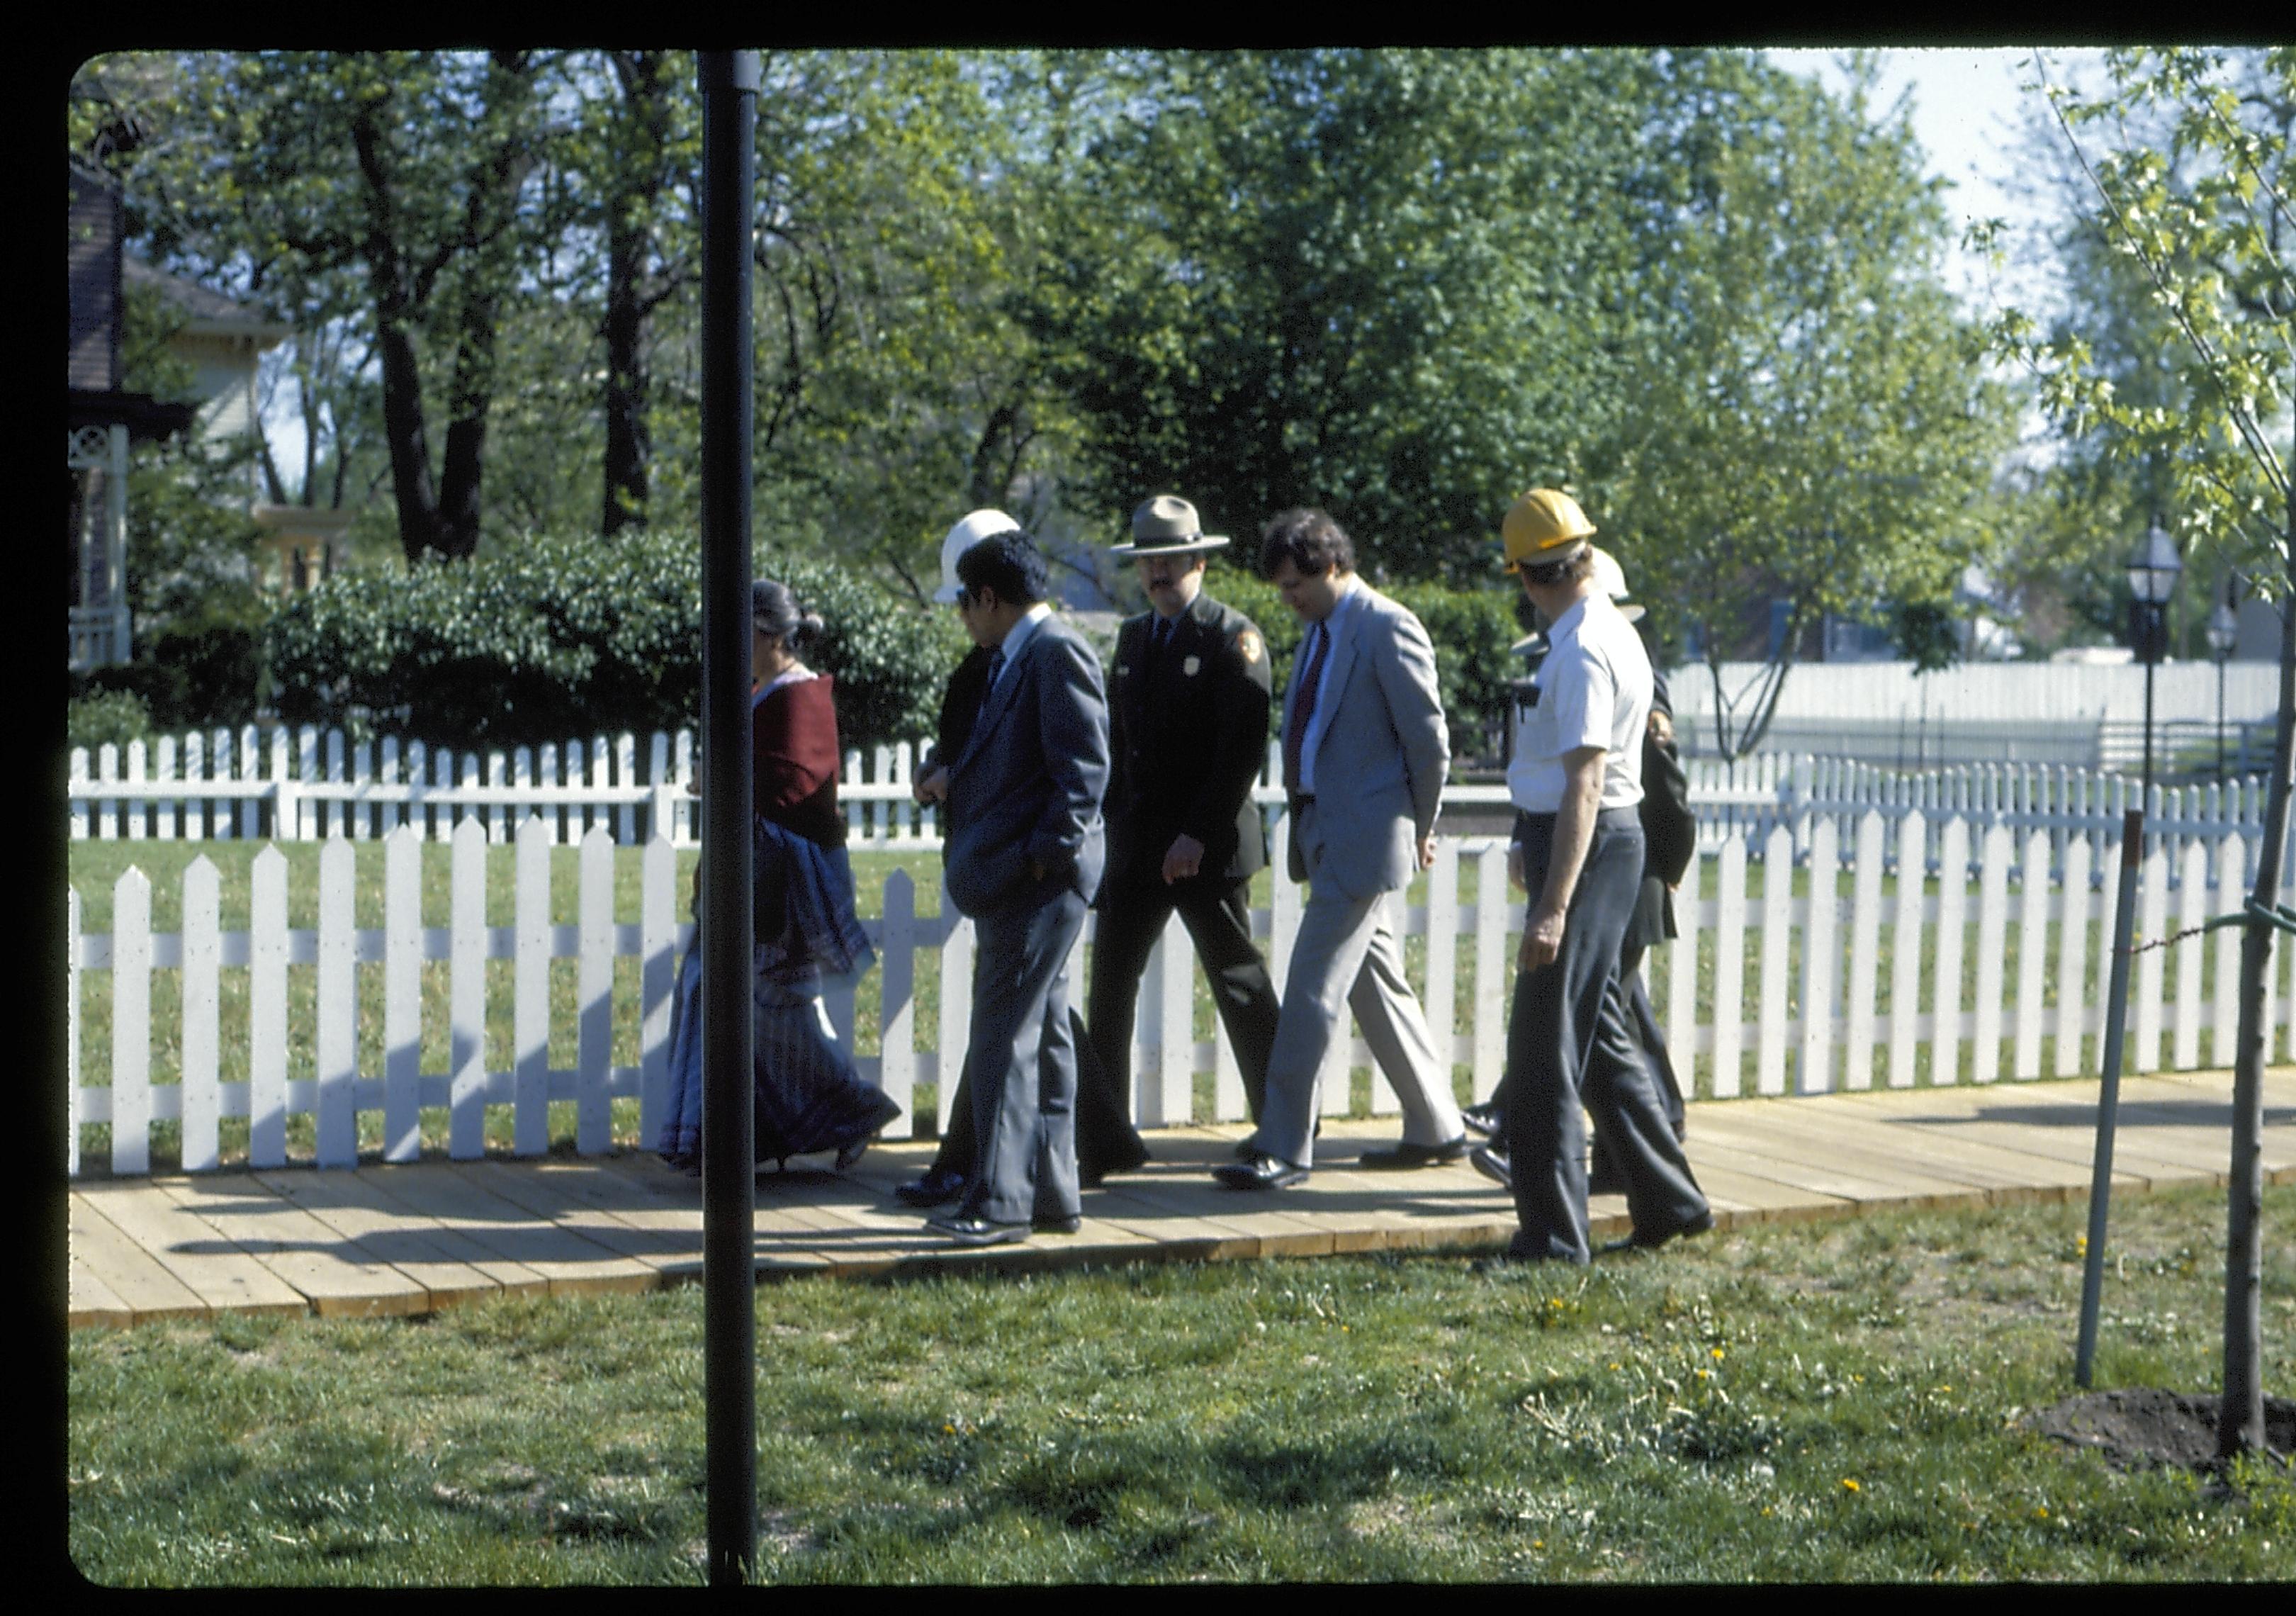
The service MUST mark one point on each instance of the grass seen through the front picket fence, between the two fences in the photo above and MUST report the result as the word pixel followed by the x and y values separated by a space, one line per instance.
pixel 98 867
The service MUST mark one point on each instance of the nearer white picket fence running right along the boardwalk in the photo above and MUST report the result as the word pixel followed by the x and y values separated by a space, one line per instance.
pixel 1797 984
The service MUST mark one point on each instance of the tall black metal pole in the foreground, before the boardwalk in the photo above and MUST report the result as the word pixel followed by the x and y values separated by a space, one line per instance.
pixel 729 84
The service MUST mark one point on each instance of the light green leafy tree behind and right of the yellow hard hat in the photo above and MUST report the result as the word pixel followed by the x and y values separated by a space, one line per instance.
pixel 1806 414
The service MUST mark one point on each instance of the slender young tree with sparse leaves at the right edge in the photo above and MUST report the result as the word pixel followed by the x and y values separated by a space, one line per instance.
pixel 2187 155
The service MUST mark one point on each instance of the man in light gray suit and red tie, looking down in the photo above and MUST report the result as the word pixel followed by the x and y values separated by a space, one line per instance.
pixel 1365 759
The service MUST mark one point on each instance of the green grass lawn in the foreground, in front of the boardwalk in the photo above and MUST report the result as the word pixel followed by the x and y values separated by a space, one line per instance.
pixel 1783 1404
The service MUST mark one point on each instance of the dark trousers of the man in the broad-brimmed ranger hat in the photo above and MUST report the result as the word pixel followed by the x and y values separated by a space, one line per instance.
pixel 1133 917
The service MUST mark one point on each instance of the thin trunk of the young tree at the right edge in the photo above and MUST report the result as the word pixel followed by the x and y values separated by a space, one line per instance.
pixel 2240 1422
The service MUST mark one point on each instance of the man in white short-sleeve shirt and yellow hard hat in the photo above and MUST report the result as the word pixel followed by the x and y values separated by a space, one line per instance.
pixel 1578 848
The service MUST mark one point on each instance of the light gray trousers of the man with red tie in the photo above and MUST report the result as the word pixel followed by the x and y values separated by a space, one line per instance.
pixel 1349 958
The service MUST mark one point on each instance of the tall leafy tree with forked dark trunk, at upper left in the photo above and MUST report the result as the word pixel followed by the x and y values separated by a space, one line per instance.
pixel 394 185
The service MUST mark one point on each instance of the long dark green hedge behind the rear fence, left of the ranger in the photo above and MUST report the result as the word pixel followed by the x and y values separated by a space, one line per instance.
pixel 566 637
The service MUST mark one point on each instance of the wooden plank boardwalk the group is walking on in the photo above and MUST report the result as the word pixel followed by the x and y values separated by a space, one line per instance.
pixel 424 1236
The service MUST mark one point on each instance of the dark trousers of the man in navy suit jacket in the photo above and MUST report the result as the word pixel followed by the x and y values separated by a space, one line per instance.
pixel 1021 1064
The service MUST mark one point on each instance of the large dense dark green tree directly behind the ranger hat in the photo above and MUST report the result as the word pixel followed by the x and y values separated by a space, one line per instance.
pixel 1335 279
